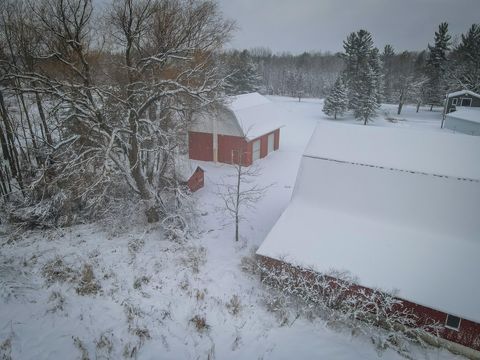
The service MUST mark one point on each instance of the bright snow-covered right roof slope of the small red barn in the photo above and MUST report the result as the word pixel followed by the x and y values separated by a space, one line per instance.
pixel 255 114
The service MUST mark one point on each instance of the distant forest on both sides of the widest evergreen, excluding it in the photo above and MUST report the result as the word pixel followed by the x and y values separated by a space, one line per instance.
pixel 447 64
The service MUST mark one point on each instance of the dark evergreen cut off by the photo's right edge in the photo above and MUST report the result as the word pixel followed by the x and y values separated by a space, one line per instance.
pixel 465 73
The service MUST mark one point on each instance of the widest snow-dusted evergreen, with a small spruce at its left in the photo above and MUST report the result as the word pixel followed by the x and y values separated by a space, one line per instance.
pixel 363 75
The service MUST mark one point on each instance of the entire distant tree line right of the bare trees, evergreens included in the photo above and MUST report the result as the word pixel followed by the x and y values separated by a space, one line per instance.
pixel 346 78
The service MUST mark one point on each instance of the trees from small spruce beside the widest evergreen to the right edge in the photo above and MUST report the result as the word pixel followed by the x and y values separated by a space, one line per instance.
pixel 370 77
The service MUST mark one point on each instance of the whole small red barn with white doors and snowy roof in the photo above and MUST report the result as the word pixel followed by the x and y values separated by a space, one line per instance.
pixel 248 125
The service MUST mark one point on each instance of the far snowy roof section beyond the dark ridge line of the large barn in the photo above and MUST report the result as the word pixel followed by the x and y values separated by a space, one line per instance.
pixel 434 153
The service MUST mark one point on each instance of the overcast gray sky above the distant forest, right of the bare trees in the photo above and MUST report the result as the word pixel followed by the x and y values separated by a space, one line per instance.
pixel 299 25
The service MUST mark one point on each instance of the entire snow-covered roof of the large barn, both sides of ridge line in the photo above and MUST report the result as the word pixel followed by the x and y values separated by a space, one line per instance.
pixel 359 205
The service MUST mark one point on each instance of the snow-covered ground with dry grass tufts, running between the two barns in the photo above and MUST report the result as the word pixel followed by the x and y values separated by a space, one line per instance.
pixel 150 298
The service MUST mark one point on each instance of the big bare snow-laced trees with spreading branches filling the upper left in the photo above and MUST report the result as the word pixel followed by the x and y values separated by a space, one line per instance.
pixel 120 95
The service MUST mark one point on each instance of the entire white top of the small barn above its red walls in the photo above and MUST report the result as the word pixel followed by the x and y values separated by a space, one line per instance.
pixel 248 115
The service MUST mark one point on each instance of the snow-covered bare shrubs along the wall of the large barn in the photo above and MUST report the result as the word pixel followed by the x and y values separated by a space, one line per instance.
pixel 336 297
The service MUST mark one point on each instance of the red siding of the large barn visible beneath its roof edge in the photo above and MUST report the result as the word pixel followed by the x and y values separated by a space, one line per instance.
pixel 467 335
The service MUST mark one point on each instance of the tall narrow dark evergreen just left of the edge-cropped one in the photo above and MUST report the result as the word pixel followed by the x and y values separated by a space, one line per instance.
pixel 436 85
